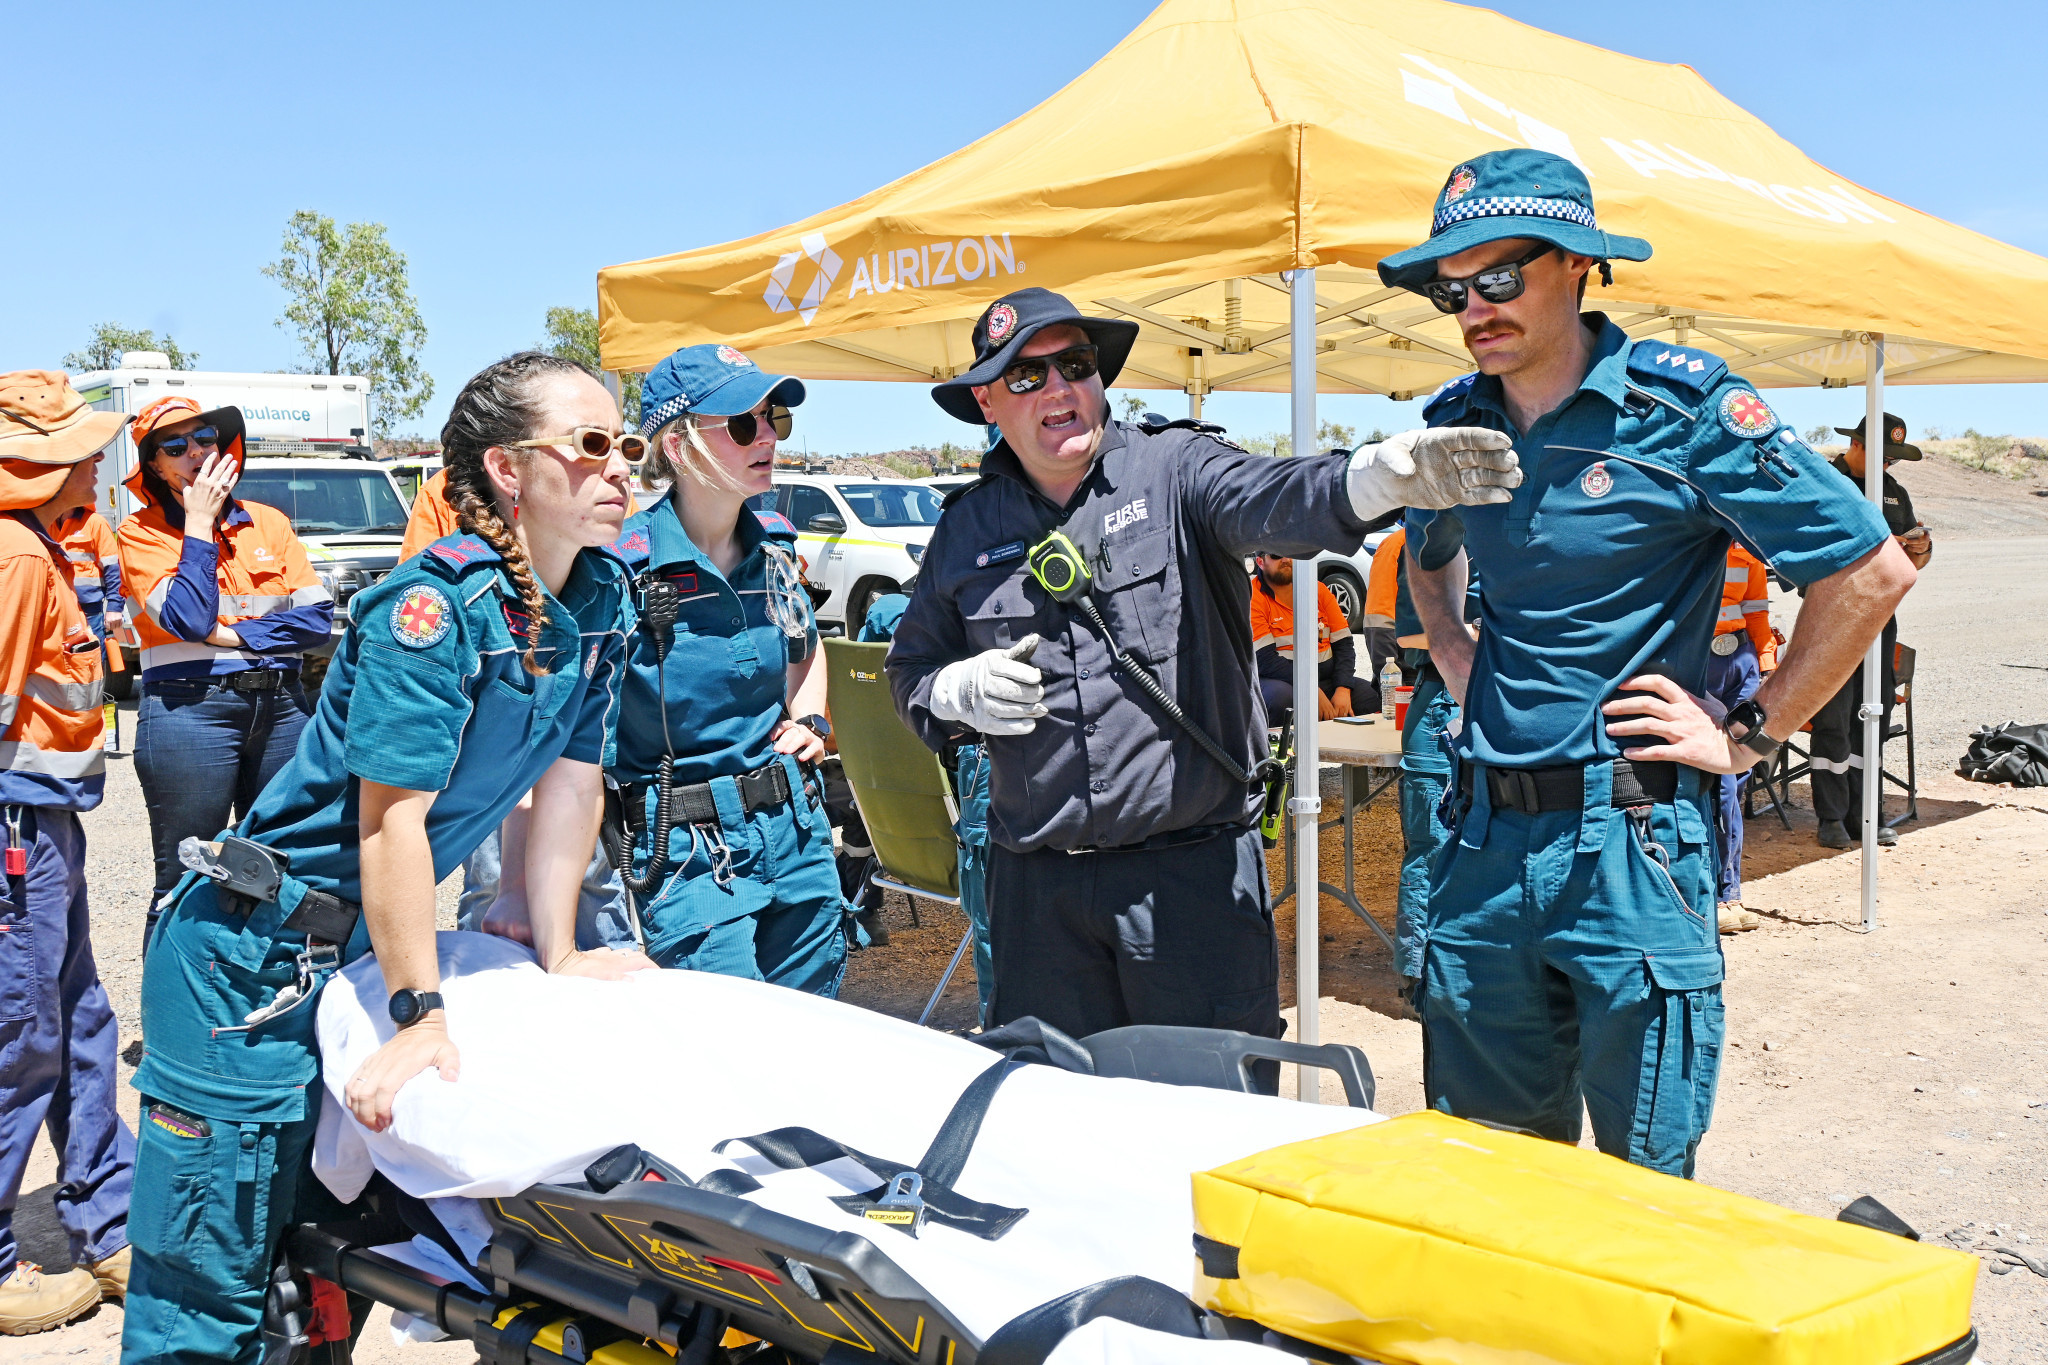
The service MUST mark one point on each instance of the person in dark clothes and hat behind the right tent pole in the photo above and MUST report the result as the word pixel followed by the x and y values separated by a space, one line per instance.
pixel 1838 734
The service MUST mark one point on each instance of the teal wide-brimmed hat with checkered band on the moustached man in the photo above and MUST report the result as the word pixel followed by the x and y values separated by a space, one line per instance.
pixel 1517 193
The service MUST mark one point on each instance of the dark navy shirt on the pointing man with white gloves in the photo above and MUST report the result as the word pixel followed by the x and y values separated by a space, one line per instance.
pixel 1166 519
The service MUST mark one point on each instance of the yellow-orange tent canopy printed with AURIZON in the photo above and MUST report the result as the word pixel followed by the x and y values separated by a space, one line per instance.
pixel 1230 140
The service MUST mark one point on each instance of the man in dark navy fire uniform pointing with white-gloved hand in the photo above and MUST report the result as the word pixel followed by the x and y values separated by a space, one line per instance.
pixel 1127 877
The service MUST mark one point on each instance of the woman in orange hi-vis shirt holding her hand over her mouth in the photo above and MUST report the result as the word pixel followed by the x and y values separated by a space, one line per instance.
pixel 228 607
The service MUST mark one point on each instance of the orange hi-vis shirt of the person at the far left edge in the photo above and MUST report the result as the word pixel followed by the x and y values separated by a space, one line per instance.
pixel 50 676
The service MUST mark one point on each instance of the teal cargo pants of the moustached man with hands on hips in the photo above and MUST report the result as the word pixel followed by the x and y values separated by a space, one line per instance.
pixel 1574 957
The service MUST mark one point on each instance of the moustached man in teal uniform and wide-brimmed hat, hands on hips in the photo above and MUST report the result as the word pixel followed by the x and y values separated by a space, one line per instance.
pixel 1572 946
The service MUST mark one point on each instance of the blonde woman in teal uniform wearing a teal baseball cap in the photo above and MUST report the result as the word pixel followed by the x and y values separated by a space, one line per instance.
pixel 730 838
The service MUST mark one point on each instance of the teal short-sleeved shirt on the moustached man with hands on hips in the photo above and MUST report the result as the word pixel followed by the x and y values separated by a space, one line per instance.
pixel 1609 562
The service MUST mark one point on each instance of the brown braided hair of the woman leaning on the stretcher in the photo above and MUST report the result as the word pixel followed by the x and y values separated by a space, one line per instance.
pixel 497 408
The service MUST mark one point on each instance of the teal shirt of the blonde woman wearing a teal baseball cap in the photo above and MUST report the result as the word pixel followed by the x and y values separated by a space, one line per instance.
pixel 724 682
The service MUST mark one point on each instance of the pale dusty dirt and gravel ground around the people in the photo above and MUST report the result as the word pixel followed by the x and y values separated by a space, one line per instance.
pixel 1910 1063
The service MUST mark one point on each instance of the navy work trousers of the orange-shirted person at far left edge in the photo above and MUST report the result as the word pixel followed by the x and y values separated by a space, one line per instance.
pixel 58 1045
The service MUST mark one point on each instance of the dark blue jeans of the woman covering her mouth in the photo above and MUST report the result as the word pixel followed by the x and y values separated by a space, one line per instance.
pixel 204 752
